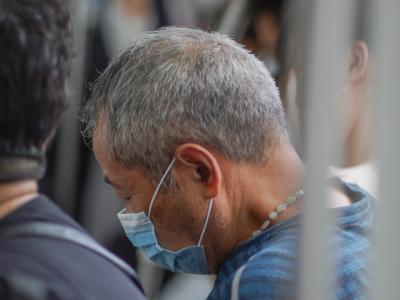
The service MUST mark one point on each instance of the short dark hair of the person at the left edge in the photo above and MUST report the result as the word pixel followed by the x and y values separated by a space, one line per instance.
pixel 34 62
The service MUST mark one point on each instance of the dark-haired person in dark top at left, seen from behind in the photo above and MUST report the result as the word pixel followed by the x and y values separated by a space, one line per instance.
pixel 44 254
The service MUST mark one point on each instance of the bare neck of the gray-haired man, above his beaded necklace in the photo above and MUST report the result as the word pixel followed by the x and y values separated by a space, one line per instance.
pixel 255 191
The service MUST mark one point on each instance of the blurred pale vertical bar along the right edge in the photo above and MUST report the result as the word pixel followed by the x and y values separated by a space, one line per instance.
pixel 386 40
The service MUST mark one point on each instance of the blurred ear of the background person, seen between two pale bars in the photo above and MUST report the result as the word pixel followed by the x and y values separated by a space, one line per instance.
pixel 358 68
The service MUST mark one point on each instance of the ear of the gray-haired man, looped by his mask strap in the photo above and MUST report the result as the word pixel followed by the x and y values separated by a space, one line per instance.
pixel 200 165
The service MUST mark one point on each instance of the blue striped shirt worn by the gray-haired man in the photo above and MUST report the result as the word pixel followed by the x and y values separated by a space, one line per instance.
pixel 268 262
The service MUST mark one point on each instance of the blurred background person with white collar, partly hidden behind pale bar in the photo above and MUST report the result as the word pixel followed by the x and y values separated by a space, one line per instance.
pixel 358 163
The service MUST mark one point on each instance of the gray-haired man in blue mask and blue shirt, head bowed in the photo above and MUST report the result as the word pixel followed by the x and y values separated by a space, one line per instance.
pixel 189 129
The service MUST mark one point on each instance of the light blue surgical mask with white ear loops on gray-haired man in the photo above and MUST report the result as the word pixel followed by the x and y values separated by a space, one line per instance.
pixel 141 232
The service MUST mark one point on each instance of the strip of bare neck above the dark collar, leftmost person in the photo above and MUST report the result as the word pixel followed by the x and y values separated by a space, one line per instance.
pixel 15 194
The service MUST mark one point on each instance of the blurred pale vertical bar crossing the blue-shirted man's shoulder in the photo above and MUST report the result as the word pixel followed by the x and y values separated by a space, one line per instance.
pixel 329 37
